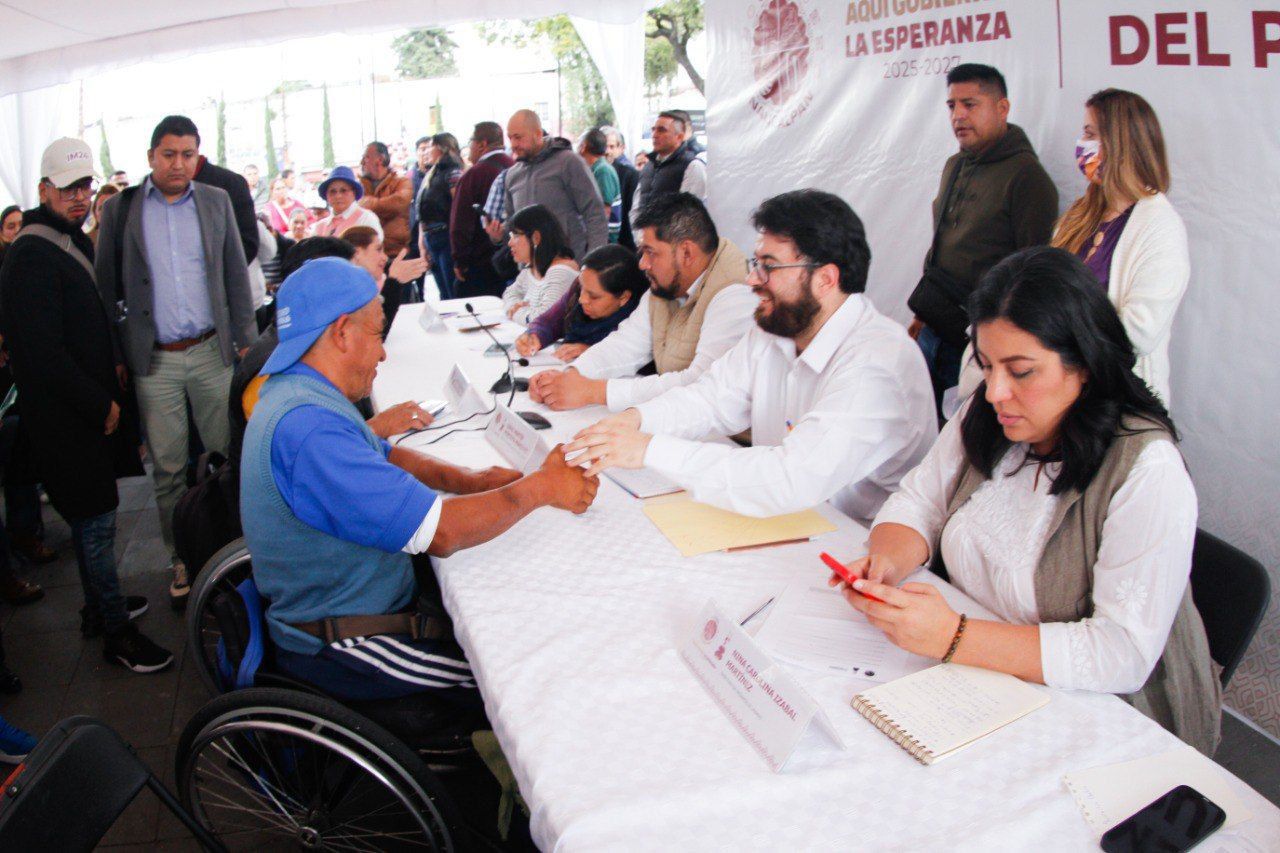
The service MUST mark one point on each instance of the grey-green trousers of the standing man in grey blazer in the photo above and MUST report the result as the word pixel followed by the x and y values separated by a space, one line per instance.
pixel 196 375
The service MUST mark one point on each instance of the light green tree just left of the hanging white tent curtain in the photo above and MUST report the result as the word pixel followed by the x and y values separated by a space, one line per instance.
pixel 587 94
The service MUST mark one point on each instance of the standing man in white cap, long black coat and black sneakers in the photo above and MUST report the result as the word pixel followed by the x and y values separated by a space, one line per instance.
pixel 60 340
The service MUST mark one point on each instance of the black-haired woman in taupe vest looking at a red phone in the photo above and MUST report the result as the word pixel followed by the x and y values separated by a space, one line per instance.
pixel 1060 503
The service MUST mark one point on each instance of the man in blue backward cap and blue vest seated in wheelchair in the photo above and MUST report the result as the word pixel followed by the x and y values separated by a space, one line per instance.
pixel 332 514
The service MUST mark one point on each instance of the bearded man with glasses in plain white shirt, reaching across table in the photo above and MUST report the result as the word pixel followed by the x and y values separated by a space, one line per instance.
pixel 836 395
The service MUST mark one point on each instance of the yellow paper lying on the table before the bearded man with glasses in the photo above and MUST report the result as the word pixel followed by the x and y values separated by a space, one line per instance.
pixel 697 528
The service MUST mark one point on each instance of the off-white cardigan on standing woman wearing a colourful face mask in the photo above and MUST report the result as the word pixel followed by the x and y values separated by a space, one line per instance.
pixel 1150 271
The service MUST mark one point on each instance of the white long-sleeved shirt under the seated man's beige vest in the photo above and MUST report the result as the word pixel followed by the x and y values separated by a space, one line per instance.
pixel 630 348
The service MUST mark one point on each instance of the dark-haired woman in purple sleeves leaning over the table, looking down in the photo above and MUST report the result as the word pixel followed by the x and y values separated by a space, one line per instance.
pixel 606 293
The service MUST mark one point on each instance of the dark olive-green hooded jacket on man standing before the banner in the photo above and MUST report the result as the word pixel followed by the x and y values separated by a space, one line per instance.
pixel 1003 200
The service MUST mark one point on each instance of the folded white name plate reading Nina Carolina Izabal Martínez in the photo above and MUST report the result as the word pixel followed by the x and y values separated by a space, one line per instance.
pixel 761 699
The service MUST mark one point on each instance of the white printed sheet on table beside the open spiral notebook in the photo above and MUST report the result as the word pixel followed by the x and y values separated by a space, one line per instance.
pixel 812 626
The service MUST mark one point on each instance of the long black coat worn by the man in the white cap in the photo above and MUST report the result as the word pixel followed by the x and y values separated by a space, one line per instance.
pixel 60 343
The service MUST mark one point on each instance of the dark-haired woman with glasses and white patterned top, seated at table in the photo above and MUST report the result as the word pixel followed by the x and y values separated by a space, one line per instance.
pixel 547 266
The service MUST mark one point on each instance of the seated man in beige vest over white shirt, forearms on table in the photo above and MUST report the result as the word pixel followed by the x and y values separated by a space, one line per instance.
pixel 696 311
